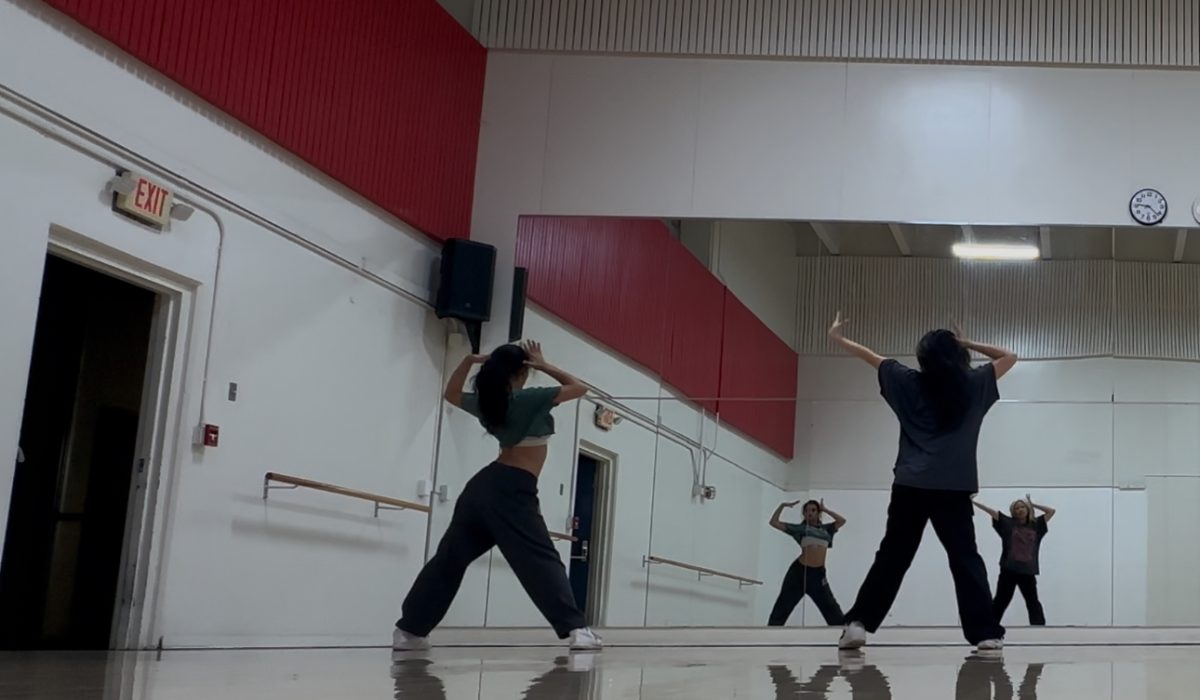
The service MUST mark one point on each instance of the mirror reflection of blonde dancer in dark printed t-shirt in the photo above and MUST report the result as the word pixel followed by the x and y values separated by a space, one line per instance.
pixel 1021 537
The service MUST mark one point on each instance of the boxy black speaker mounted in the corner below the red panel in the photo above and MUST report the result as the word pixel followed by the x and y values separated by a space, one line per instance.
pixel 465 290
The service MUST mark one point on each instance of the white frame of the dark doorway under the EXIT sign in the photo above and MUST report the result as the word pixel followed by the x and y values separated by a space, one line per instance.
pixel 160 428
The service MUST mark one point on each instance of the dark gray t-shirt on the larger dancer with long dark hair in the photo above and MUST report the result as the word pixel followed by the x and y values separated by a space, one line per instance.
pixel 932 457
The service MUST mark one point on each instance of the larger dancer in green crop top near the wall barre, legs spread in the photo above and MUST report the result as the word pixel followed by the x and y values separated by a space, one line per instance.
pixel 500 505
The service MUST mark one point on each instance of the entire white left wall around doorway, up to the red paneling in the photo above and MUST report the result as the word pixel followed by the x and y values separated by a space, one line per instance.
pixel 338 372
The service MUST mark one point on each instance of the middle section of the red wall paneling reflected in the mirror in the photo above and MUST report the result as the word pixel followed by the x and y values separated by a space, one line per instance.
pixel 692 360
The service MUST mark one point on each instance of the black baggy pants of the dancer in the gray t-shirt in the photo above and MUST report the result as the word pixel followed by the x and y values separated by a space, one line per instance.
pixel 952 514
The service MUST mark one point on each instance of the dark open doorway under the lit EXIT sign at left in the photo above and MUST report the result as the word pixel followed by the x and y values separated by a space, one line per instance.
pixel 79 438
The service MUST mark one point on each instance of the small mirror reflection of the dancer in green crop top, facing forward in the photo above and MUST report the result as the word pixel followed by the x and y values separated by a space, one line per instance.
pixel 807 576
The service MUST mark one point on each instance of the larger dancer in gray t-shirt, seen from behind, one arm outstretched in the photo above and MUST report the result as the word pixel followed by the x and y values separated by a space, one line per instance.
pixel 940 410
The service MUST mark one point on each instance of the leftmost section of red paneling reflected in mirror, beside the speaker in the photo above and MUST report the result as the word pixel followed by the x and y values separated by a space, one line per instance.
pixel 605 277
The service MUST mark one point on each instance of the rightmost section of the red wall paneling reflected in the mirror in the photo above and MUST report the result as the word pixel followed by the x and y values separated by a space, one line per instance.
pixel 755 364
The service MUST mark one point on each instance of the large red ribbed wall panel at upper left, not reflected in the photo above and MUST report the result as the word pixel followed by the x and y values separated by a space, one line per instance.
pixel 382 95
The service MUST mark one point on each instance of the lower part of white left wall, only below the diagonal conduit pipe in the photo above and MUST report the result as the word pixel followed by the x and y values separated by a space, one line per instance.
pixel 321 356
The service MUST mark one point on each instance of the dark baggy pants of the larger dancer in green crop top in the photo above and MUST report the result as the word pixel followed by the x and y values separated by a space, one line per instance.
pixel 497 507
